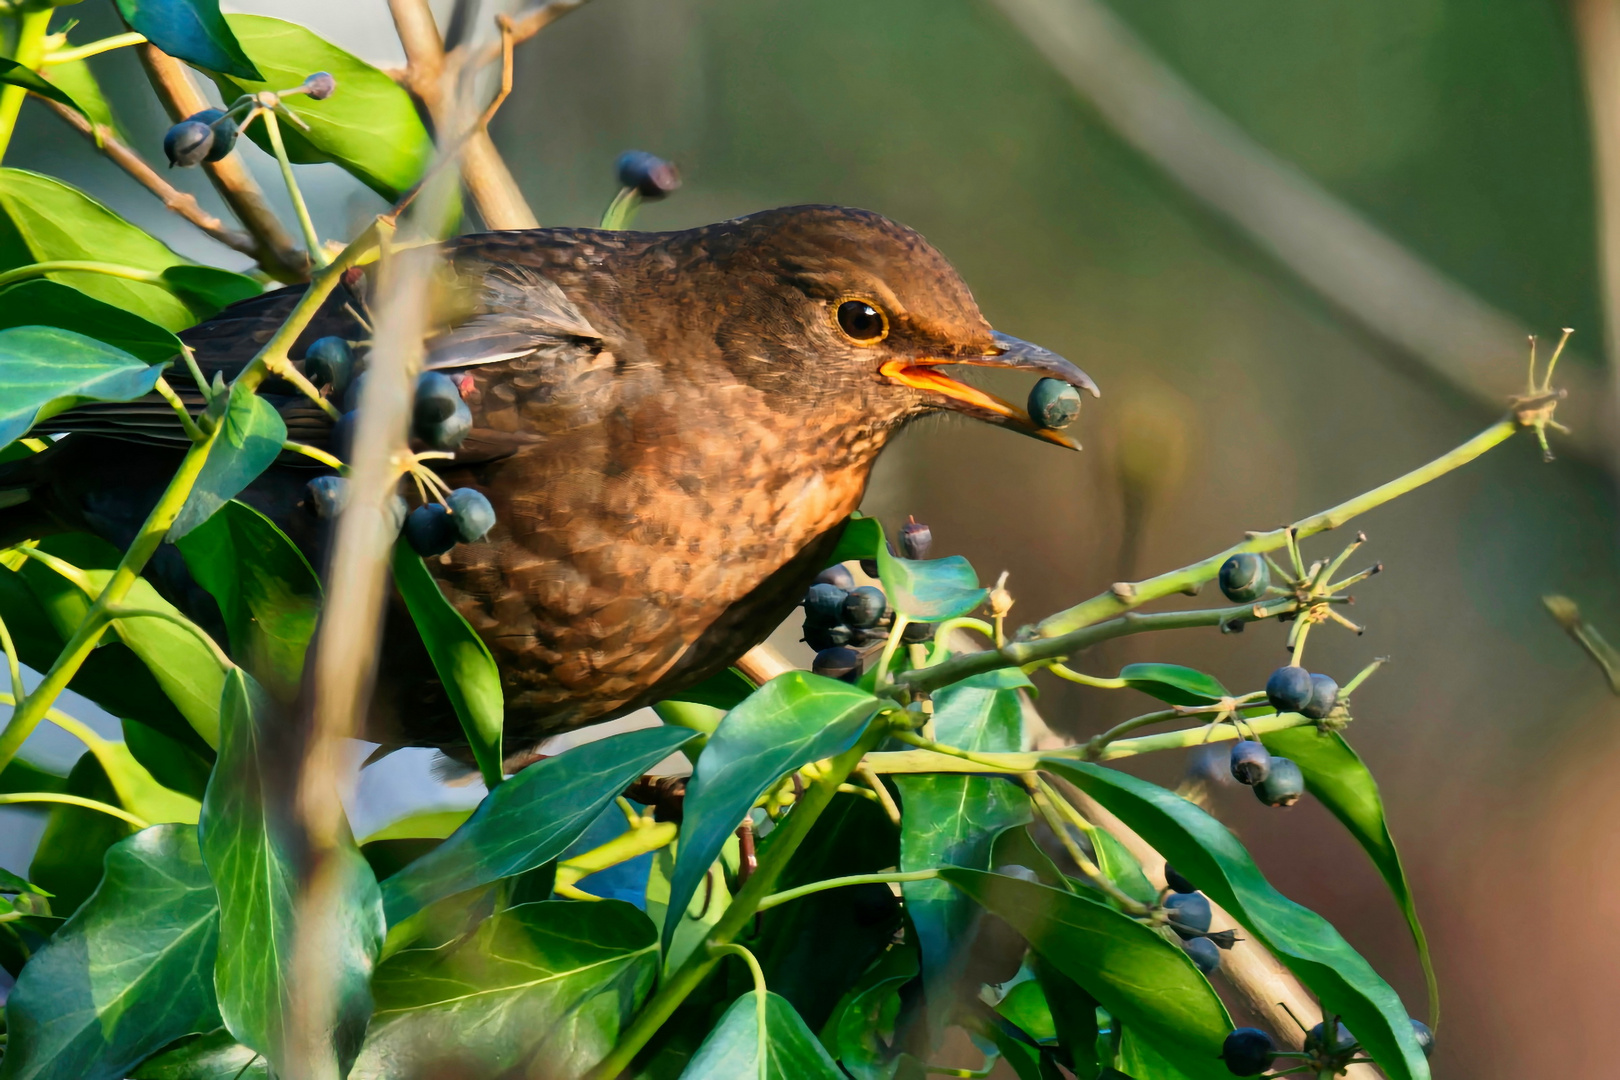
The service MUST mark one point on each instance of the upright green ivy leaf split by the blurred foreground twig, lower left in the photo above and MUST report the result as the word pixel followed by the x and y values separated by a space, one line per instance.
pixel 247 833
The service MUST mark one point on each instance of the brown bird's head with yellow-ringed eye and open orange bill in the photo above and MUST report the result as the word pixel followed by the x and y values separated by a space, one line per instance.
pixel 837 307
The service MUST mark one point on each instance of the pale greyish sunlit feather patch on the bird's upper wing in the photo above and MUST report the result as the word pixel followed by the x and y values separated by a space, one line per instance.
pixel 519 313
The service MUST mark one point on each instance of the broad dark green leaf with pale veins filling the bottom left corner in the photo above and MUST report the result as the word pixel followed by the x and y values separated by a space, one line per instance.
pixel 129 974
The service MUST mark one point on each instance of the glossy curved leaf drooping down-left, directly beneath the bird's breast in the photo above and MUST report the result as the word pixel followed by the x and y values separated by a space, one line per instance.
pixel 790 721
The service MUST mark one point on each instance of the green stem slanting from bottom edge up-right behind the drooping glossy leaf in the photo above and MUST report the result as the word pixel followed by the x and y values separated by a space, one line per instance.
pixel 790 835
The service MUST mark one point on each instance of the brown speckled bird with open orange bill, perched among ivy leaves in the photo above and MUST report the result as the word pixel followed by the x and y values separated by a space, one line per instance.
pixel 671 428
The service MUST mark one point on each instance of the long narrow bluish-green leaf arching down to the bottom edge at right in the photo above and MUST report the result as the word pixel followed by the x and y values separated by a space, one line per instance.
pixel 1211 856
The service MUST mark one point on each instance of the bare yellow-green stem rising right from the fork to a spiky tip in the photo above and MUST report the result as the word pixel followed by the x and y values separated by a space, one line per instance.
pixel 1125 597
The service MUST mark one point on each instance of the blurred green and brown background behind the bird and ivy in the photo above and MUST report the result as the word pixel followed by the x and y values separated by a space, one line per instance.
pixel 1238 393
